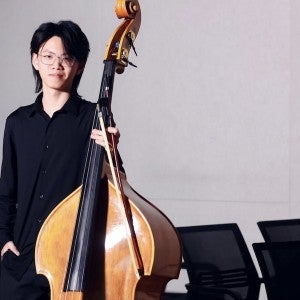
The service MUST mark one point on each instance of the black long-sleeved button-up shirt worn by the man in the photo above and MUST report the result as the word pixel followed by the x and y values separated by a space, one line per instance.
pixel 43 161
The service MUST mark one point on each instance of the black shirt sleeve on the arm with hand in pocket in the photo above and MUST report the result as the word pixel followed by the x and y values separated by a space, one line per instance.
pixel 8 186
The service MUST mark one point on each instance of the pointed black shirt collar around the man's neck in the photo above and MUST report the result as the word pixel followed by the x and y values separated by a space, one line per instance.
pixel 71 106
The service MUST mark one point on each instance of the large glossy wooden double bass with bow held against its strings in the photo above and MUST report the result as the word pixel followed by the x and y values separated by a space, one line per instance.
pixel 105 241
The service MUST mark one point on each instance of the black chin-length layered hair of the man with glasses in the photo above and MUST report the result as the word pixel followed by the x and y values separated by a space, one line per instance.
pixel 74 40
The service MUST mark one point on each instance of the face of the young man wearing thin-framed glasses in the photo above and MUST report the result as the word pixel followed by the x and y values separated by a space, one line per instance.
pixel 56 68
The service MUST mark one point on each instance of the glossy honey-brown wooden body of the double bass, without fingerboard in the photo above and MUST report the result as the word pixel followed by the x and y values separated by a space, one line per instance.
pixel 111 273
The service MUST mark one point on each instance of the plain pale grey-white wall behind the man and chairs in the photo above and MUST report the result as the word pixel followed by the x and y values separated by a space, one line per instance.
pixel 209 119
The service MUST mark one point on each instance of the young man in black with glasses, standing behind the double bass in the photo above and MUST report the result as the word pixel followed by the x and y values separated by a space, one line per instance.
pixel 44 151
